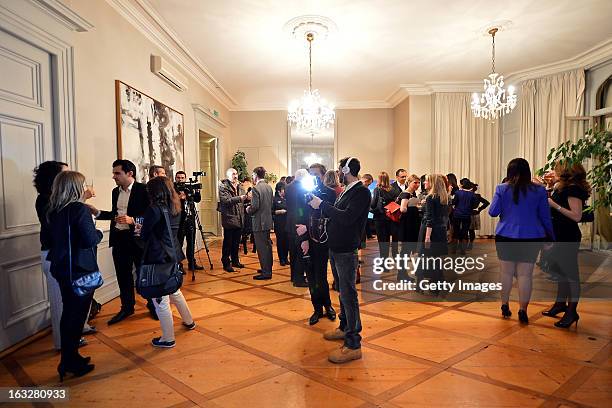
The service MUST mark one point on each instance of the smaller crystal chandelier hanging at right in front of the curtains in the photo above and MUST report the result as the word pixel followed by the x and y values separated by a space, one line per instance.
pixel 495 101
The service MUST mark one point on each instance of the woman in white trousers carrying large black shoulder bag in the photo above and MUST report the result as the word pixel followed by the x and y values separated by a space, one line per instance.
pixel 165 206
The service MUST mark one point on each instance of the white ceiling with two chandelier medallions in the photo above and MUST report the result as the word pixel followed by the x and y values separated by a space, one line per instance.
pixel 379 46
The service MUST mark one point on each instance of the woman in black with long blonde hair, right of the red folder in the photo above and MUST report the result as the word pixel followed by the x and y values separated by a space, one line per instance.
pixel 432 235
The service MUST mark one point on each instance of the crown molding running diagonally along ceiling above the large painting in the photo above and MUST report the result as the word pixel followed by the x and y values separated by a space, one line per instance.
pixel 145 19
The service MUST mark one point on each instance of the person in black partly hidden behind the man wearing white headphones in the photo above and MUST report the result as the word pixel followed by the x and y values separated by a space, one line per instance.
pixel 316 269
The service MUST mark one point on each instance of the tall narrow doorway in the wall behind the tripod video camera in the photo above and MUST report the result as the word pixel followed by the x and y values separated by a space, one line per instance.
pixel 208 164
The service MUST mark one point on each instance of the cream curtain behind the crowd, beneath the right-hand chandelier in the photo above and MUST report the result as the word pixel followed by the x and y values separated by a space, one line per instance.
pixel 467 146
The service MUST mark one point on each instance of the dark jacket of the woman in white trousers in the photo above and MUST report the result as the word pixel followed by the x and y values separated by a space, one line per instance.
pixel 154 234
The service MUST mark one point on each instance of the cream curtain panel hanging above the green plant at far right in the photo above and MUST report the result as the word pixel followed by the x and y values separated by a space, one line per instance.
pixel 546 102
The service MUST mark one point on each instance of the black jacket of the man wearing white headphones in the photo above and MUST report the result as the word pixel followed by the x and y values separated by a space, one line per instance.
pixel 347 218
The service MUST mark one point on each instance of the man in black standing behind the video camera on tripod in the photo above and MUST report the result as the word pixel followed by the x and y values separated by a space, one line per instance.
pixel 187 227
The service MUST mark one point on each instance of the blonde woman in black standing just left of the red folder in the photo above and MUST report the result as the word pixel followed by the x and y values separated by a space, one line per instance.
pixel 385 228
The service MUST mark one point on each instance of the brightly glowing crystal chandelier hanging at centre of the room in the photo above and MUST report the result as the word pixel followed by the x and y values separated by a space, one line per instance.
pixel 311 112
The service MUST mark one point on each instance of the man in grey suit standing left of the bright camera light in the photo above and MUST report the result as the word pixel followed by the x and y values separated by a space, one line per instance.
pixel 261 212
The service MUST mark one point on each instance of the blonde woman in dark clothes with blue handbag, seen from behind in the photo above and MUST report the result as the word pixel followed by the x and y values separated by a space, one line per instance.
pixel 72 232
